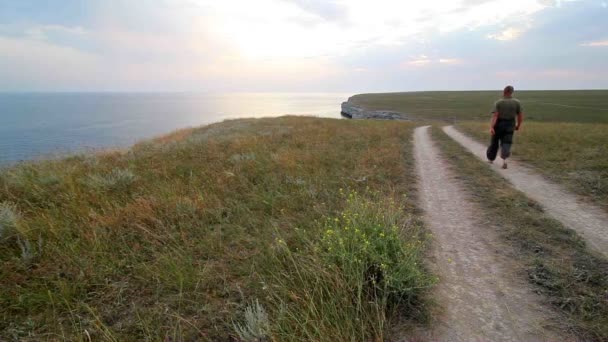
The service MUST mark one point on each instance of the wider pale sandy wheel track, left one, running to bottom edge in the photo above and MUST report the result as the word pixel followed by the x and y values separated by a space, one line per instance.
pixel 482 298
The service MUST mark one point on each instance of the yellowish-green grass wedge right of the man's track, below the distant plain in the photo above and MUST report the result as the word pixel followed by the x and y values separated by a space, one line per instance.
pixel 573 154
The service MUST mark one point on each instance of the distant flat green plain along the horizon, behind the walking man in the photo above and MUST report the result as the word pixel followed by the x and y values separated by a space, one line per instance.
pixel 546 106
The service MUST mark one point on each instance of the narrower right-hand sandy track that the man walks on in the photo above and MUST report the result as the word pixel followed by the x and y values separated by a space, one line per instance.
pixel 589 221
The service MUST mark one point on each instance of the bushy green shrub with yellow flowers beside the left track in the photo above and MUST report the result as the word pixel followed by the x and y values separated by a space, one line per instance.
pixel 365 242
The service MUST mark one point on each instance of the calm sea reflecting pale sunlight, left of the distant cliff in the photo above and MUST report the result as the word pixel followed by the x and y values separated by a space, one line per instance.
pixel 35 125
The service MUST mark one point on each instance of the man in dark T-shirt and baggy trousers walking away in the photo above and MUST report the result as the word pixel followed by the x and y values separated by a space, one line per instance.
pixel 504 113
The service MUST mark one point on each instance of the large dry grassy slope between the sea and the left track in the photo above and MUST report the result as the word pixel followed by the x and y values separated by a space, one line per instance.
pixel 292 229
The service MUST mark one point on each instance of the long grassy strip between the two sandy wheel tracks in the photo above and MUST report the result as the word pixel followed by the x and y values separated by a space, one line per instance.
pixel 554 258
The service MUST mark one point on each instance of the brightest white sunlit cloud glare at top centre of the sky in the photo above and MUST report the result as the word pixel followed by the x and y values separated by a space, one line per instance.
pixel 271 28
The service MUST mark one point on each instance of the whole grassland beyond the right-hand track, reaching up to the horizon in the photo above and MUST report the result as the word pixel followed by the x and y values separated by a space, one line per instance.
pixel 565 135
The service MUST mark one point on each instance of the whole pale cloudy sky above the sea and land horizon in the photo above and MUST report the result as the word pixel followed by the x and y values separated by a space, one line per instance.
pixel 302 45
